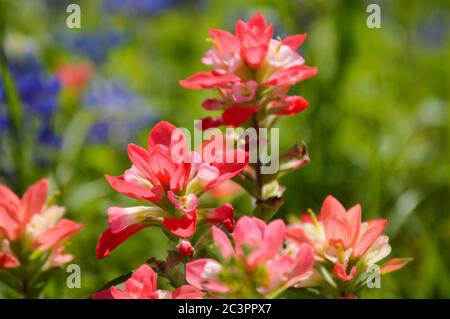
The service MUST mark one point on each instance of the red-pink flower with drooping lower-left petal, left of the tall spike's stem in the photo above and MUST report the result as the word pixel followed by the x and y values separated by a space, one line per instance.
pixel 171 177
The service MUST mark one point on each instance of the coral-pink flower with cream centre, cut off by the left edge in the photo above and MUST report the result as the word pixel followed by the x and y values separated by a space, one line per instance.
pixel 37 225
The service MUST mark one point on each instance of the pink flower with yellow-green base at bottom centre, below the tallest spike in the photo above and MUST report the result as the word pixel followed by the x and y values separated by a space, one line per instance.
pixel 261 263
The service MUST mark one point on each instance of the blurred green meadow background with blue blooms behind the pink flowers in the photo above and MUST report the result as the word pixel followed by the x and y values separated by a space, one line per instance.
pixel 377 129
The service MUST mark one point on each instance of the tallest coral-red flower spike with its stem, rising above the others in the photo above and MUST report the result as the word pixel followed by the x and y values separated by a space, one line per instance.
pixel 252 73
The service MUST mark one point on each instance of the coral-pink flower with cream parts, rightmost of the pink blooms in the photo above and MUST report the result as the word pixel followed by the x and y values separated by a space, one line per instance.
pixel 343 244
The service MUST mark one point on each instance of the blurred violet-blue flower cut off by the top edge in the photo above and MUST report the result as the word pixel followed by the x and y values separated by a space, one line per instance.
pixel 137 7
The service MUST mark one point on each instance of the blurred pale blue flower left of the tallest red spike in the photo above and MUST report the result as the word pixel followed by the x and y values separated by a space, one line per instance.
pixel 120 114
